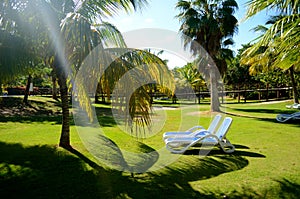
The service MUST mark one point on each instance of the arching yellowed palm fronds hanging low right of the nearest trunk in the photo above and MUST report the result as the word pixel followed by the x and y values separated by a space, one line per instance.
pixel 127 72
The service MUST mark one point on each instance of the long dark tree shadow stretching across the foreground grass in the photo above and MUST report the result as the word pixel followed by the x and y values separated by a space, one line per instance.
pixel 49 172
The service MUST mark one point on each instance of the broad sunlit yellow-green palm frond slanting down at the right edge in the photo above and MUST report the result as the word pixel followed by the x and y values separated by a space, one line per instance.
pixel 282 40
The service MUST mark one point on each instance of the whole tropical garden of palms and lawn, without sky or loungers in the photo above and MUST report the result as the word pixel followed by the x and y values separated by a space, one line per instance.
pixel 91 127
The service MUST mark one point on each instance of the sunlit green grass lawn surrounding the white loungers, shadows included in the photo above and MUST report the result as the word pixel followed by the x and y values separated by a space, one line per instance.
pixel 266 162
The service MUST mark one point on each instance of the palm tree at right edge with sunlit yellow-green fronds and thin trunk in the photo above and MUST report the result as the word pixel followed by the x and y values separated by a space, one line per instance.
pixel 281 39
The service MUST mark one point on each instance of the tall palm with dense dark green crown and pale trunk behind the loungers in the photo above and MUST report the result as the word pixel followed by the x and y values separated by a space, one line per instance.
pixel 211 24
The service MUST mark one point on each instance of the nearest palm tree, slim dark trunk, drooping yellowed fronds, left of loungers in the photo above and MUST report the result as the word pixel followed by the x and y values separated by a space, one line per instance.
pixel 76 31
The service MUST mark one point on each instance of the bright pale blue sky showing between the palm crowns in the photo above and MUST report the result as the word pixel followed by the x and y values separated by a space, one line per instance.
pixel 161 14
